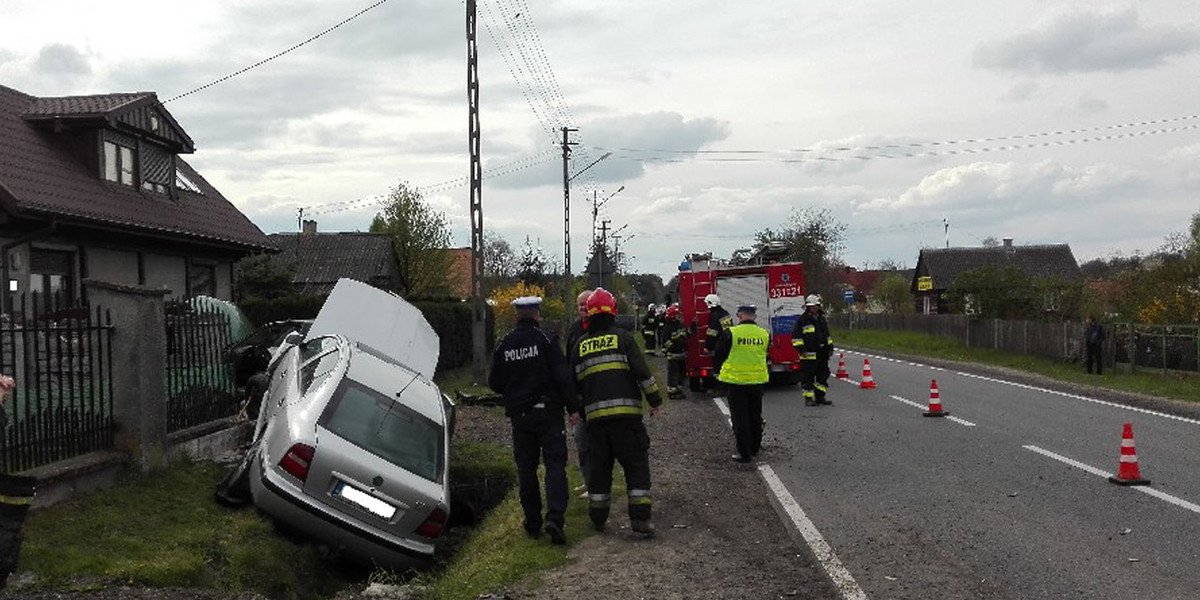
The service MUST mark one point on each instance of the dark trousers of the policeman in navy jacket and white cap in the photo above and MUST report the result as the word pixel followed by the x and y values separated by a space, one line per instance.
pixel 539 435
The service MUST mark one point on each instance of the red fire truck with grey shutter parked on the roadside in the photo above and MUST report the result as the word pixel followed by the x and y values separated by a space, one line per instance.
pixel 776 289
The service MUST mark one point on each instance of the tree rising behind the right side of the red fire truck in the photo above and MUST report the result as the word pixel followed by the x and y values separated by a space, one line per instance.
pixel 815 238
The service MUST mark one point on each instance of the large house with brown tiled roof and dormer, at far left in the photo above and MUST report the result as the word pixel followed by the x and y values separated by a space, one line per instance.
pixel 97 188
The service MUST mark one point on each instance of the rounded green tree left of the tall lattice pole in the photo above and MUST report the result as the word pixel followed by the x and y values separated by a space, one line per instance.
pixel 421 238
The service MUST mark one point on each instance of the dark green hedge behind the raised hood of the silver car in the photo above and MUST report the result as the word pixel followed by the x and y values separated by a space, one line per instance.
pixel 452 320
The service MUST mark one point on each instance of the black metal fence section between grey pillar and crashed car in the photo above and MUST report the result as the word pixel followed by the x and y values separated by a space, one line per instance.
pixel 200 388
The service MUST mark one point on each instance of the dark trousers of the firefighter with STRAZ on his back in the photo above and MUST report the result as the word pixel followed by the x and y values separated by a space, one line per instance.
pixel 620 441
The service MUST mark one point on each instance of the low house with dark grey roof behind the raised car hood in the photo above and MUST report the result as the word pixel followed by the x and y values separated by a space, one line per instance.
pixel 319 260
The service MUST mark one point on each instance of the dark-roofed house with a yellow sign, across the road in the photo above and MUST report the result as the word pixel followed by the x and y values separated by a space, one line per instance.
pixel 938 269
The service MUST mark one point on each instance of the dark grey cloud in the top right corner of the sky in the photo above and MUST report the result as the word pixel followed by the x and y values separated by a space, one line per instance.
pixel 1085 41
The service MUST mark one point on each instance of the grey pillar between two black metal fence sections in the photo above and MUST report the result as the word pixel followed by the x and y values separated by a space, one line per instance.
pixel 140 379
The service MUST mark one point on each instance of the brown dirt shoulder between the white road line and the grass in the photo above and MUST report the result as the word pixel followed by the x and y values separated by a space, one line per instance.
pixel 719 536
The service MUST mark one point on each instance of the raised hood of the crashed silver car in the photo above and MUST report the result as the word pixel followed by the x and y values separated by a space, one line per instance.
pixel 382 321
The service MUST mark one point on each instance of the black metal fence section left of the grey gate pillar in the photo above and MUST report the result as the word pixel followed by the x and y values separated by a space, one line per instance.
pixel 63 404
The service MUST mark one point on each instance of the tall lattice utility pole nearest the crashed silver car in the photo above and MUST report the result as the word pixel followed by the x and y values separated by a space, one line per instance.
pixel 479 346
